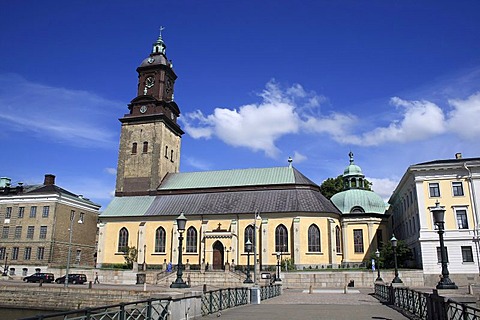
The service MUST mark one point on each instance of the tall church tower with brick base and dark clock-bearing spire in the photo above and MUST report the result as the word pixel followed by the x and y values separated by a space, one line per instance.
pixel 150 136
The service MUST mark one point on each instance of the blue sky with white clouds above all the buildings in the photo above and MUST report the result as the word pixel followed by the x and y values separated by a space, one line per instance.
pixel 396 82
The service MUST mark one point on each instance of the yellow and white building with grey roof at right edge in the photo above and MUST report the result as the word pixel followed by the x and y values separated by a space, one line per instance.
pixel 451 183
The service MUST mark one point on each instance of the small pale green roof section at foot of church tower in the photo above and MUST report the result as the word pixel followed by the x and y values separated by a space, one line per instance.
pixel 128 206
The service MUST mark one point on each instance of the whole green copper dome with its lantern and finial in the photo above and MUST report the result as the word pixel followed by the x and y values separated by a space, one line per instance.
pixel 355 199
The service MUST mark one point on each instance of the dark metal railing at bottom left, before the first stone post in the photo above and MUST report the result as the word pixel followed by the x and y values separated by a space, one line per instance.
pixel 139 310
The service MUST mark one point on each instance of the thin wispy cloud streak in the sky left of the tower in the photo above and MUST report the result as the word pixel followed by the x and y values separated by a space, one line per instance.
pixel 73 116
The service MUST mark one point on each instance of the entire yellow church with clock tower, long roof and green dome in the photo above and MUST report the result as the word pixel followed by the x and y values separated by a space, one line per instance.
pixel 280 211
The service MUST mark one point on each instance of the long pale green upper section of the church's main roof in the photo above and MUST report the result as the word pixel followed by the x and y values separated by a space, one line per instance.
pixel 233 178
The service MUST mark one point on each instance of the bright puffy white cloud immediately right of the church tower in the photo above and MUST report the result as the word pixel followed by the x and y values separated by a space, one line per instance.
pixel 255 126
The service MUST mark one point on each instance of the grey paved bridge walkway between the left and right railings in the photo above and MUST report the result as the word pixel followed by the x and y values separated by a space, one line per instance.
pixel 321 304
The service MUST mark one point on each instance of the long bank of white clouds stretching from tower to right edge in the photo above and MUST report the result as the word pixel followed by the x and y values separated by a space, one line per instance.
pixel 293 110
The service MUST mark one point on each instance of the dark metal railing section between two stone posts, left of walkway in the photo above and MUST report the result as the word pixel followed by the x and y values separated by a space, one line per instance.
pixel 221 299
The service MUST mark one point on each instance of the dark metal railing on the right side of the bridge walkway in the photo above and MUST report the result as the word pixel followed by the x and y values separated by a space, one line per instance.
pixel 426 306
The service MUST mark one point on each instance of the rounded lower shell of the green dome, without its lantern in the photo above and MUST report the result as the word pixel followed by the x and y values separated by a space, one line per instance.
pixel 356 201
